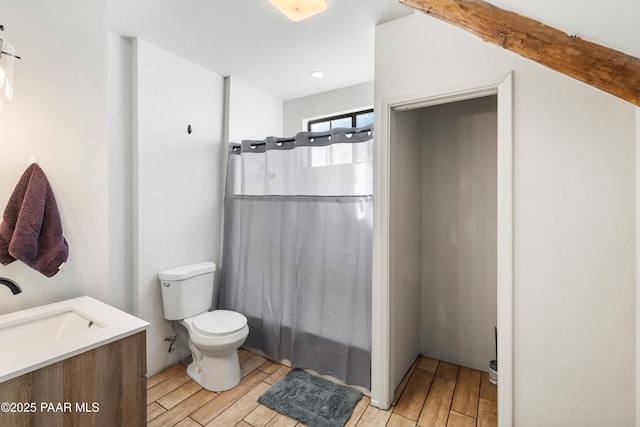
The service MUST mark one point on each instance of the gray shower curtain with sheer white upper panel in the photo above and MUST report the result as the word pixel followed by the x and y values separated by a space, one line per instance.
pixel 297 249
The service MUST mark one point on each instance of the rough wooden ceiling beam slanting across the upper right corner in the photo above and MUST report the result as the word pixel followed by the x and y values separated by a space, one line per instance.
pixel 607 69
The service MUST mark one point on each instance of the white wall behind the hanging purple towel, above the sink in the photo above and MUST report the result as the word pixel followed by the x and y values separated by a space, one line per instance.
pixel 59 115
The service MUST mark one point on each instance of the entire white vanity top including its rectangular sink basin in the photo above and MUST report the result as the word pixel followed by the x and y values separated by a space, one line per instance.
pixel 40 336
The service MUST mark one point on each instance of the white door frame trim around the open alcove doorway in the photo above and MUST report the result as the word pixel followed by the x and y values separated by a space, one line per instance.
pixel 381 387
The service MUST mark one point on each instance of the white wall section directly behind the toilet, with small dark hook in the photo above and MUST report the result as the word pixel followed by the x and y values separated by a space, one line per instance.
pixel 176 178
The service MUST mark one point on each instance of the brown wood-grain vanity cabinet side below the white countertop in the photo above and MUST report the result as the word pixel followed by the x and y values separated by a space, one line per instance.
pixel 105 386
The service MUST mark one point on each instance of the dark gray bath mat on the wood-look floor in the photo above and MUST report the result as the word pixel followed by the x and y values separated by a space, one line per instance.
pixel 311 400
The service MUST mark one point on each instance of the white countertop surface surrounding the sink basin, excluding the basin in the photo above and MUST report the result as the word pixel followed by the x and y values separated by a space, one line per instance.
pixel 16 360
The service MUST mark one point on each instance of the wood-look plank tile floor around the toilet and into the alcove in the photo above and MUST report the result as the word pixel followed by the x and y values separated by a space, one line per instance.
pixel 432 393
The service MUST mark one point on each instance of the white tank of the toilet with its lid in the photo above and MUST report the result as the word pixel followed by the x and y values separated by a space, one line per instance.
pixel 187 290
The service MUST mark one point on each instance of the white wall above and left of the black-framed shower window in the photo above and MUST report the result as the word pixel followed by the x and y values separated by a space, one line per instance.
pixel 347 99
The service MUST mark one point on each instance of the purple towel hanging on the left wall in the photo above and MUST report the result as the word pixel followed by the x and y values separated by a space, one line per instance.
pixel 31 230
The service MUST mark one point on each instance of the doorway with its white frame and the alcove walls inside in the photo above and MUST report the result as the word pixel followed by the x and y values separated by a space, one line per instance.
pixel 421 221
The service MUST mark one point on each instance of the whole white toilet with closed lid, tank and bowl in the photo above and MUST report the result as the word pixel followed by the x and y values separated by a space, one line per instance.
pixel 214 336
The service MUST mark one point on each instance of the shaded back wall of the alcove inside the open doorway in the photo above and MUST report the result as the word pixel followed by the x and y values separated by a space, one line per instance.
pixel 459 251
